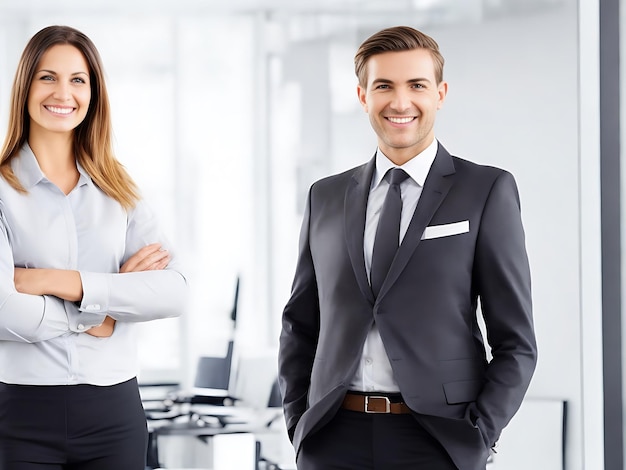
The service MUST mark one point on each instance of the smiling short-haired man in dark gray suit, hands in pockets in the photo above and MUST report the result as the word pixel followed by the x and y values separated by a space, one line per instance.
pixel 382 364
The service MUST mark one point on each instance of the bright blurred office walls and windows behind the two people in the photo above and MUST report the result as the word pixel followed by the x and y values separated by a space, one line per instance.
pixel 225 112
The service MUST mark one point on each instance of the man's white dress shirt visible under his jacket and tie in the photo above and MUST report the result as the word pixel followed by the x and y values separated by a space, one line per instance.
pixel 374 372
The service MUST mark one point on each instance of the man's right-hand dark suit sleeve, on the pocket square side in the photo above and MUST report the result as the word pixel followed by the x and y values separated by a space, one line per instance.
pixel 502 277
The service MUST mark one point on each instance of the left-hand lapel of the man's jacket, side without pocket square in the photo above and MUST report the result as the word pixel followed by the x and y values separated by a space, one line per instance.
pixel 355 209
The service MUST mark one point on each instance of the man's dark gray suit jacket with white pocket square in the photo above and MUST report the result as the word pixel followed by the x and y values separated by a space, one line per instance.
pixel 425 311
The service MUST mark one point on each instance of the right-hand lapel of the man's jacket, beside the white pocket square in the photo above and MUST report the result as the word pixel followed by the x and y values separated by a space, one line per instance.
pixel 436 187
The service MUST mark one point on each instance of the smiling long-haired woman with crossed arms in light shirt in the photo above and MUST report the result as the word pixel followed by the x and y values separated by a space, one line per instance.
pixel 70 300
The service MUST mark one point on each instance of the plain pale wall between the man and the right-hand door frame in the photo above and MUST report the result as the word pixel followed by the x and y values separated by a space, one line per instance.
pixel 521 112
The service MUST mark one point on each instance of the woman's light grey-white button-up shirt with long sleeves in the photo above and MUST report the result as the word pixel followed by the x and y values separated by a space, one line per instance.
pixel 42 339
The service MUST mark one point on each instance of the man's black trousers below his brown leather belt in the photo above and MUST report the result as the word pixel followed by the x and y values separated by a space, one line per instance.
pixel 363 441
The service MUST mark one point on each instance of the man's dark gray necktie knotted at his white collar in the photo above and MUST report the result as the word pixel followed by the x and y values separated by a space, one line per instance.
pixel 387 237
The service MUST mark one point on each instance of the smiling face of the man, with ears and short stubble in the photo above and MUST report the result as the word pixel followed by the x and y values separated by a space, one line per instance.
pixel 402 97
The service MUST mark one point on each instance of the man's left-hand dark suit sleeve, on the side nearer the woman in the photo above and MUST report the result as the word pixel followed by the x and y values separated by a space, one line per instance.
pixel 300 332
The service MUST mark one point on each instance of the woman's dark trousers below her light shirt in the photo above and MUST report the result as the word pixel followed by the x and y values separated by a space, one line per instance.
pixel 72 427
